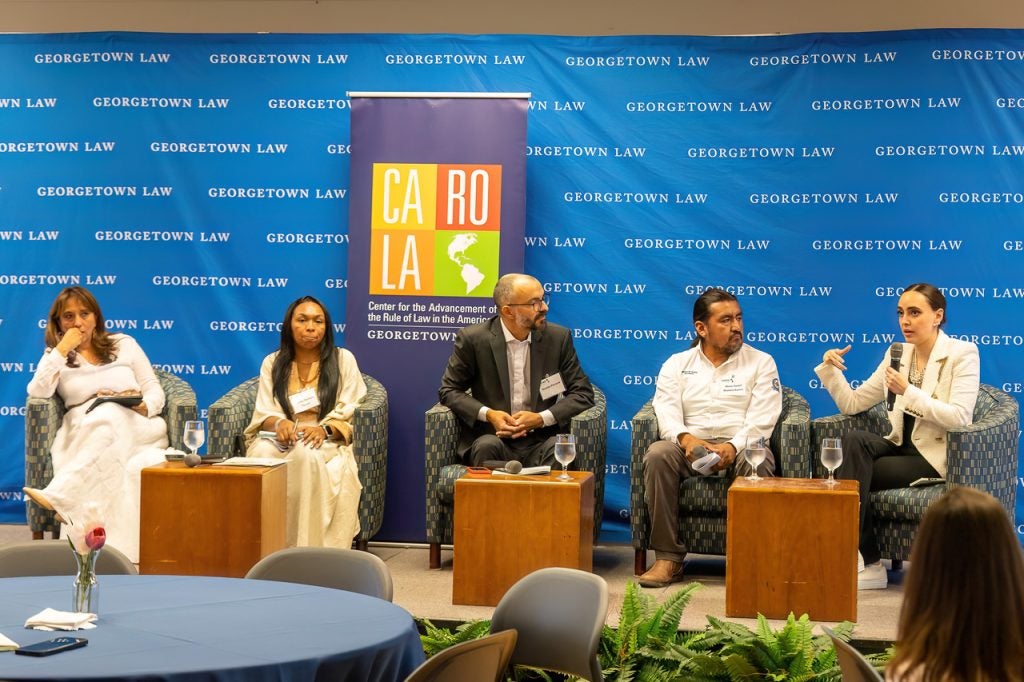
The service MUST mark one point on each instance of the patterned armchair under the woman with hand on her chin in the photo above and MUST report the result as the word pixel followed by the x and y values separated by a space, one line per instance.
pixel 44 417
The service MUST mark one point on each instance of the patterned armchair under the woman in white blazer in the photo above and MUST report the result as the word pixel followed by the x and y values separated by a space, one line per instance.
pixel 982 456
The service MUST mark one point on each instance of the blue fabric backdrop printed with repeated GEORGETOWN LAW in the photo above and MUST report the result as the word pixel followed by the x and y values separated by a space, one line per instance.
pixel 199 184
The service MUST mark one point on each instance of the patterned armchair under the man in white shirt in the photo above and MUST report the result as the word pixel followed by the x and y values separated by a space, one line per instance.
pixel 703 500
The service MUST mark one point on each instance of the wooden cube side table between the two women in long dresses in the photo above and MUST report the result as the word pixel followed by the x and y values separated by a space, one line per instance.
pixel 210 521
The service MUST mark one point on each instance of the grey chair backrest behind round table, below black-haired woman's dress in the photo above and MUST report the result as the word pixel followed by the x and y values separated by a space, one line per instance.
pixel 328 567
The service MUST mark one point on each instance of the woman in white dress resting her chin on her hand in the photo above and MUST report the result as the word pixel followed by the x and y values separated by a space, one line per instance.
pixel 100 453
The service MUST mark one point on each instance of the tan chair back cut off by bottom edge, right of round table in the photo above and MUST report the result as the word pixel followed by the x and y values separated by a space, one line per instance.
pixel 477 661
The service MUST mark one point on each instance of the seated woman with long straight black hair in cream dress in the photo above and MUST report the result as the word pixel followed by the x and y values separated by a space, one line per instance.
pixel 309 391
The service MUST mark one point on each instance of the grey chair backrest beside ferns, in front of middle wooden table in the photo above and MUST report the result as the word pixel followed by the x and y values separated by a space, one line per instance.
pixel 560 614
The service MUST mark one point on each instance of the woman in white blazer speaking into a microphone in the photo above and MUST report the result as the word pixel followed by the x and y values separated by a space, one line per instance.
pixel 936 388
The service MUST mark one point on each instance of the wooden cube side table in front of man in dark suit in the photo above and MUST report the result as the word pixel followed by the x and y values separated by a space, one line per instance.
pixel 509 527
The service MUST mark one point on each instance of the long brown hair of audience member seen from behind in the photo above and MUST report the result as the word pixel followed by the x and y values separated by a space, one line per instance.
pixel 964 595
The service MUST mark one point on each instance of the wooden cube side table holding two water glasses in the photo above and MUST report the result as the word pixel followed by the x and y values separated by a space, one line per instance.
pixel 792 546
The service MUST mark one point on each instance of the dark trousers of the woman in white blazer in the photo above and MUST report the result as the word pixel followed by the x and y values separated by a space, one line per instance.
pixel 879 465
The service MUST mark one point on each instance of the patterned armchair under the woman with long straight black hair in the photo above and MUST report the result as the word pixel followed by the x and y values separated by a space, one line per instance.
pixel 230 416
